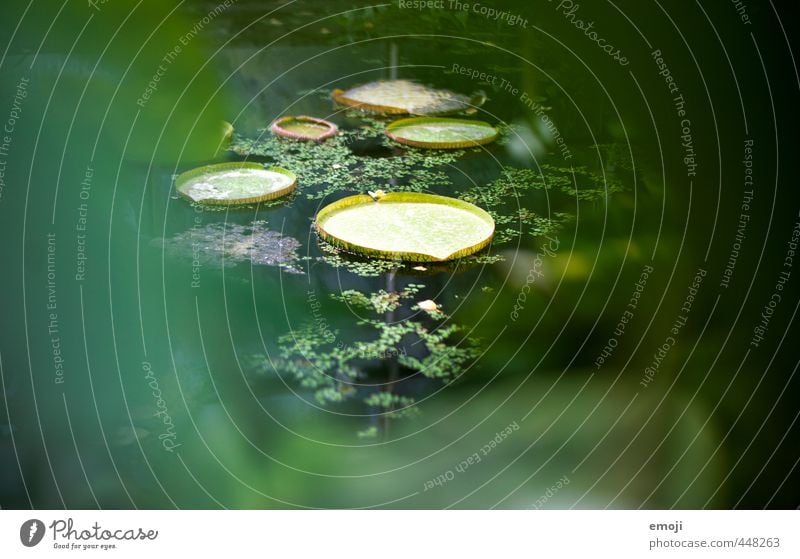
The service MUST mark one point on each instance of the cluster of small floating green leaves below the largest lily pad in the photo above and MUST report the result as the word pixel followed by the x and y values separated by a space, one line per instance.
pixel 337 369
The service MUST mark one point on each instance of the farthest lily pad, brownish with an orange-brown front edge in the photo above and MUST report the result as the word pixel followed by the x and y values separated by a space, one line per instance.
pixel 405 97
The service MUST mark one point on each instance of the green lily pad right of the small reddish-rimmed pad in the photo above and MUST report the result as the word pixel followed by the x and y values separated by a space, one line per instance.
pixel 441 133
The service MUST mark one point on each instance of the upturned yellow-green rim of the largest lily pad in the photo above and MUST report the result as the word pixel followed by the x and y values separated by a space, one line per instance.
pixel 401 256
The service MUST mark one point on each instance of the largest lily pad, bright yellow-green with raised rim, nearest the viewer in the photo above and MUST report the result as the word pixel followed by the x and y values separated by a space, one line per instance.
pixel 406 226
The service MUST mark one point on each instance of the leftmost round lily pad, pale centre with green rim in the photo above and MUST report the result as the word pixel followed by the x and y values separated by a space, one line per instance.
pixel 235 183
